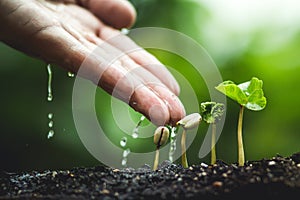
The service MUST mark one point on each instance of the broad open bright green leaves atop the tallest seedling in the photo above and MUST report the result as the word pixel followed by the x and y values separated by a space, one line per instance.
pixel 249 94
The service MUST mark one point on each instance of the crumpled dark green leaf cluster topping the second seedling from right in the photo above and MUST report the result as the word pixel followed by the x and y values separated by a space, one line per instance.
pixel 212 111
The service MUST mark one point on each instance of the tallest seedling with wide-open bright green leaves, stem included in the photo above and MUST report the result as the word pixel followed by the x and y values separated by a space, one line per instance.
pixel 249 95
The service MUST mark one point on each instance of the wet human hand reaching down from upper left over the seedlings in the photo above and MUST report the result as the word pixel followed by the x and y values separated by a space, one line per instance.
pixel 68 32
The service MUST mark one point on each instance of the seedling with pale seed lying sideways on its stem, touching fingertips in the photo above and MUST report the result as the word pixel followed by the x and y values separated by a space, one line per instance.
pixel 188 122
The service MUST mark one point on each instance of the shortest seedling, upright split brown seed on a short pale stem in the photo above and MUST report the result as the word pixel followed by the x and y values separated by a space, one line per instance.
pixel 161 136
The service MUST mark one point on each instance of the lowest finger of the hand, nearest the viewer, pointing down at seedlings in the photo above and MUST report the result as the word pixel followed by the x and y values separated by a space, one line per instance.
pixel 126 86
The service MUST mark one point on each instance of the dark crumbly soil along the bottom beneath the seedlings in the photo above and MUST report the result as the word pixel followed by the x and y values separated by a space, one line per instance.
pixel 275 178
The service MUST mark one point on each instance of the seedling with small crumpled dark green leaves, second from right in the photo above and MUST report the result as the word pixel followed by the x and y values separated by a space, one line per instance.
pixel 211 113
